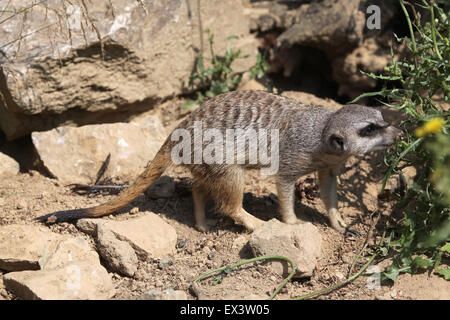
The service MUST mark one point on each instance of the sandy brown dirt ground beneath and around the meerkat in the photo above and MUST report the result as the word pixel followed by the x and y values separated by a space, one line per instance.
pixel 29 195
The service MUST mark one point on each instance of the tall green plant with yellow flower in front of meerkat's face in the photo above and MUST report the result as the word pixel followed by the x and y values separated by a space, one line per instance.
pixel 421 239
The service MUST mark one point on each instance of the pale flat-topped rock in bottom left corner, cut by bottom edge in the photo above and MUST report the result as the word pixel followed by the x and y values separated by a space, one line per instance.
pixel 77 280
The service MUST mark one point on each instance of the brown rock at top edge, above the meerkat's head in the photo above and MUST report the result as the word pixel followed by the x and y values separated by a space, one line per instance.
pixel 333 26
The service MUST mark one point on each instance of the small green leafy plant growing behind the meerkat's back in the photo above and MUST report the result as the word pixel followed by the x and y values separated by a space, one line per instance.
pixel 219 77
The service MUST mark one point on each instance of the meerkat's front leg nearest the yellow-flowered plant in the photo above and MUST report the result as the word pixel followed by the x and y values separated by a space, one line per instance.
pixel 328 194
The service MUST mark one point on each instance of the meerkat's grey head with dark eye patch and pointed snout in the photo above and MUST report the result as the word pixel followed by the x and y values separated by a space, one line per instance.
pixel 356 129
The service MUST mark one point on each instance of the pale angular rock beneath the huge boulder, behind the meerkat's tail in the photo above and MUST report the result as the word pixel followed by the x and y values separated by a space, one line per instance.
pixel 84 149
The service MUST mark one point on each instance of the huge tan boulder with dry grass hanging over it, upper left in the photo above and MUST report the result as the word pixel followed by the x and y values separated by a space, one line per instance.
pixel 62 73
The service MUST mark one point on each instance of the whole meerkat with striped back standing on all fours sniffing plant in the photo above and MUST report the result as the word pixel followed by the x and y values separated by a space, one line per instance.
pixel 310 139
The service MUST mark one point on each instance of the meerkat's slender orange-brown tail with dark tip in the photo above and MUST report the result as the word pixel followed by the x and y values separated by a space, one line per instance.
pixel 153 171
